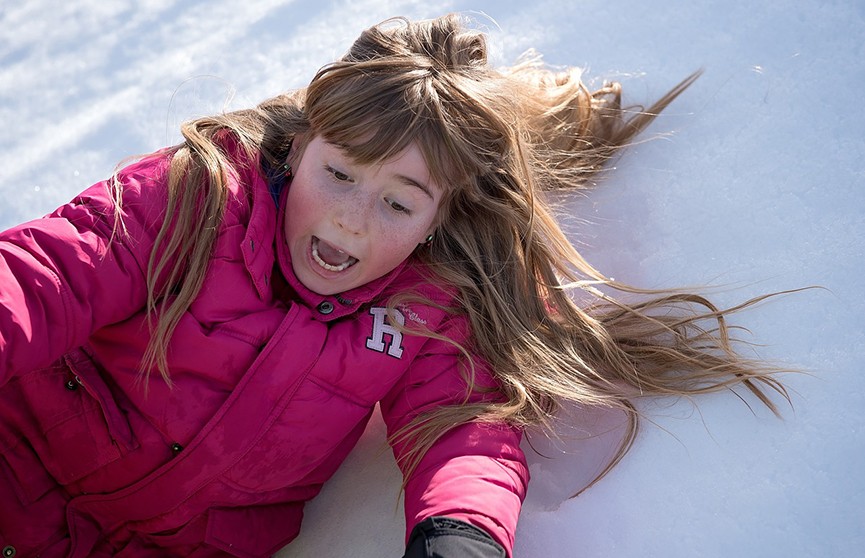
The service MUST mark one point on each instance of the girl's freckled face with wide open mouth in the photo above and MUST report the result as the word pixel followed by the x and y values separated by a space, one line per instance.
pixel 348 224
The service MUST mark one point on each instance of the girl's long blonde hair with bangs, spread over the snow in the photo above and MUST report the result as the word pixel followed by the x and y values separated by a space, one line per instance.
pixel 544 319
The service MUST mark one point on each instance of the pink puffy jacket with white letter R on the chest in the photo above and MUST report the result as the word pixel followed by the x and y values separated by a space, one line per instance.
pixel 274 385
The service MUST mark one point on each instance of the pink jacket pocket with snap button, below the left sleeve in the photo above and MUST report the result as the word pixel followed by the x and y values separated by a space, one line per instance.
pixel 68 417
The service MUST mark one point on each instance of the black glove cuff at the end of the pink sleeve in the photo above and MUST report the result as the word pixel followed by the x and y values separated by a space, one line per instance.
pixel 443 537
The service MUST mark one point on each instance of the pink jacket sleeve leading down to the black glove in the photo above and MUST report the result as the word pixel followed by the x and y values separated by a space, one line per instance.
pixel 474 473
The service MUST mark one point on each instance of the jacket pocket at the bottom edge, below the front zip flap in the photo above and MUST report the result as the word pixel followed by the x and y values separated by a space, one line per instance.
pixel 255 531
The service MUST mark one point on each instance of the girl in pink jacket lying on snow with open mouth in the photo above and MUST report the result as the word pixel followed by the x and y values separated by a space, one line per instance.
pixel 190 349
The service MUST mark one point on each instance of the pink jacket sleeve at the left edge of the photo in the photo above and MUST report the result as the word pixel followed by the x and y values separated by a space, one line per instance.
pixel 64 276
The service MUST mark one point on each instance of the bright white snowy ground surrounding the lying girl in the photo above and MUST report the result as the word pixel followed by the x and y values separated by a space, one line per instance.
pixel 758 188
